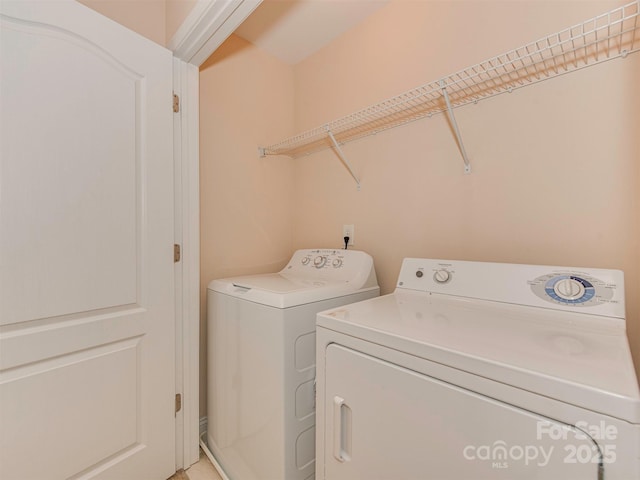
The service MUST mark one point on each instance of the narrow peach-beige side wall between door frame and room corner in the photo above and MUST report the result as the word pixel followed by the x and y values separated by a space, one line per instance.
pixel 246 99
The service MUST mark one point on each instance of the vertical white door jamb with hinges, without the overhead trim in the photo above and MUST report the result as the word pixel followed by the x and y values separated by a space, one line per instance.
pixel 187 270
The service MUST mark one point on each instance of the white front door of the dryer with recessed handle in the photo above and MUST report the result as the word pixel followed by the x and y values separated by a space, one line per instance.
pixel 383 421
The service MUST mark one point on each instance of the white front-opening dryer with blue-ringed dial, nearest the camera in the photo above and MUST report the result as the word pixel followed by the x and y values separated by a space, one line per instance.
pixel 480 371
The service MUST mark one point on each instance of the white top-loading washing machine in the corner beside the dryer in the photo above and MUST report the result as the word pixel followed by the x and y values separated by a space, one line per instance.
pixel 261 360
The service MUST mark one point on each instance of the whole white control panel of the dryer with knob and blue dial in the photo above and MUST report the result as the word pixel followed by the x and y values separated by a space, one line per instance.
pixel 584 290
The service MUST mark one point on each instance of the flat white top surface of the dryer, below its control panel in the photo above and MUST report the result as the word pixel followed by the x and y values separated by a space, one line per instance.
pixel 576 358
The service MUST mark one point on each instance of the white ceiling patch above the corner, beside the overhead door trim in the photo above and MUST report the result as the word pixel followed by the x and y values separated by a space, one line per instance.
pixel 294 29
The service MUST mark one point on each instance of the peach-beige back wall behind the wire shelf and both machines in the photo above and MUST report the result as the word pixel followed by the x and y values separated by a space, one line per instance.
pixel 555 165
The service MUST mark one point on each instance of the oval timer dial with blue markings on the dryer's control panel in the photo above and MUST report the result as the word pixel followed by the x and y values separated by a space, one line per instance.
pixel 567 288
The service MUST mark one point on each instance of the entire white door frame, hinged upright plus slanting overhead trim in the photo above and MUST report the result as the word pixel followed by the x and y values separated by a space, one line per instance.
pixel 207 26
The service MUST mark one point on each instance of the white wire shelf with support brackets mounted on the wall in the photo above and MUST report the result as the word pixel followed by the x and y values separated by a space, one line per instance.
pixel 605 37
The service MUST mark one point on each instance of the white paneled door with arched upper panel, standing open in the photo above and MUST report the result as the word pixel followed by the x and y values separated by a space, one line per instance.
pixel 86 240
